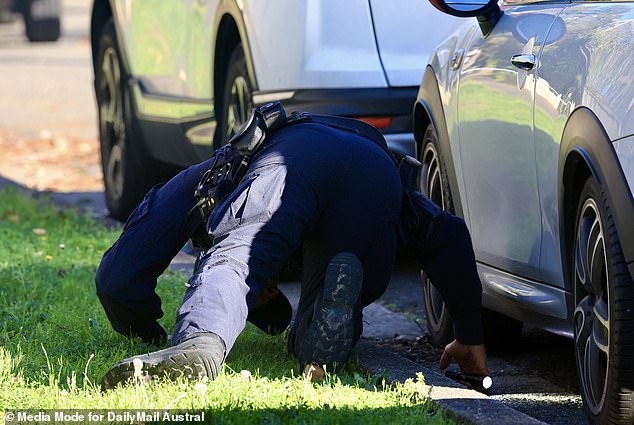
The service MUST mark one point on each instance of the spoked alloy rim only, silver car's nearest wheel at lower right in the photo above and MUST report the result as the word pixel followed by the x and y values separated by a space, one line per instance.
pixel 592 315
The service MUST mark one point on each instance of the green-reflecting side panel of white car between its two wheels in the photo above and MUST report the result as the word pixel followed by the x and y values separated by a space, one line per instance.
pixel 170 84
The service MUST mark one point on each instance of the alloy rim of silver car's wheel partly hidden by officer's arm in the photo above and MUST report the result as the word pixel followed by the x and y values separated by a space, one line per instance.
pixel 431 183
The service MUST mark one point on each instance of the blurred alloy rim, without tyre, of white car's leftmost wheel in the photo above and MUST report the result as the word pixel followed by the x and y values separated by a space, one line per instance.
pixel 112 121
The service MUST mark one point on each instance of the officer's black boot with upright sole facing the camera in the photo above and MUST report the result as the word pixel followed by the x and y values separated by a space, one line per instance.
pixel 336 321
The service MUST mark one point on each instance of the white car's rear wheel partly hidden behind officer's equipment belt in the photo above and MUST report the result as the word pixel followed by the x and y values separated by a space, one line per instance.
pixel 237 97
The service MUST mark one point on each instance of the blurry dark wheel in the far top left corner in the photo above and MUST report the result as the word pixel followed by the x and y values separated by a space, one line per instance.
pixel 41 20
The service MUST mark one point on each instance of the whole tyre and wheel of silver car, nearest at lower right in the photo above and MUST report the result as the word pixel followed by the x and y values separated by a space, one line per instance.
pixel 604 314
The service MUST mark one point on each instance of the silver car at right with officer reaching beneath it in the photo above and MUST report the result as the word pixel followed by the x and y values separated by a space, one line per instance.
pixel 524 125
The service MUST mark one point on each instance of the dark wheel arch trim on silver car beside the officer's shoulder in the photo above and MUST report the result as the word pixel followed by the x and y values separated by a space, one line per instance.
pixel 429 110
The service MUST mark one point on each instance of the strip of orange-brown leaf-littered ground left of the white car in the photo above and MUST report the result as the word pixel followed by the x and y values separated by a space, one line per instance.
pixel 47 163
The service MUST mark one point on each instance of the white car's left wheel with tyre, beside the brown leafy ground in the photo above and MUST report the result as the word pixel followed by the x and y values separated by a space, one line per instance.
pixel 123 172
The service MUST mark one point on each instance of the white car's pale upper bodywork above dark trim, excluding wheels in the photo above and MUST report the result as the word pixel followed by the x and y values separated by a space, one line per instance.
pixel 326 44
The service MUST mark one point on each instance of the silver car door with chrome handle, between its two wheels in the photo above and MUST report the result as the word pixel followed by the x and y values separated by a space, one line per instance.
pixel 495 114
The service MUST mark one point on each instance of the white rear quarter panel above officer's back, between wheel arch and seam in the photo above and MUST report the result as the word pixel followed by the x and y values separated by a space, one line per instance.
pixel 313 44
